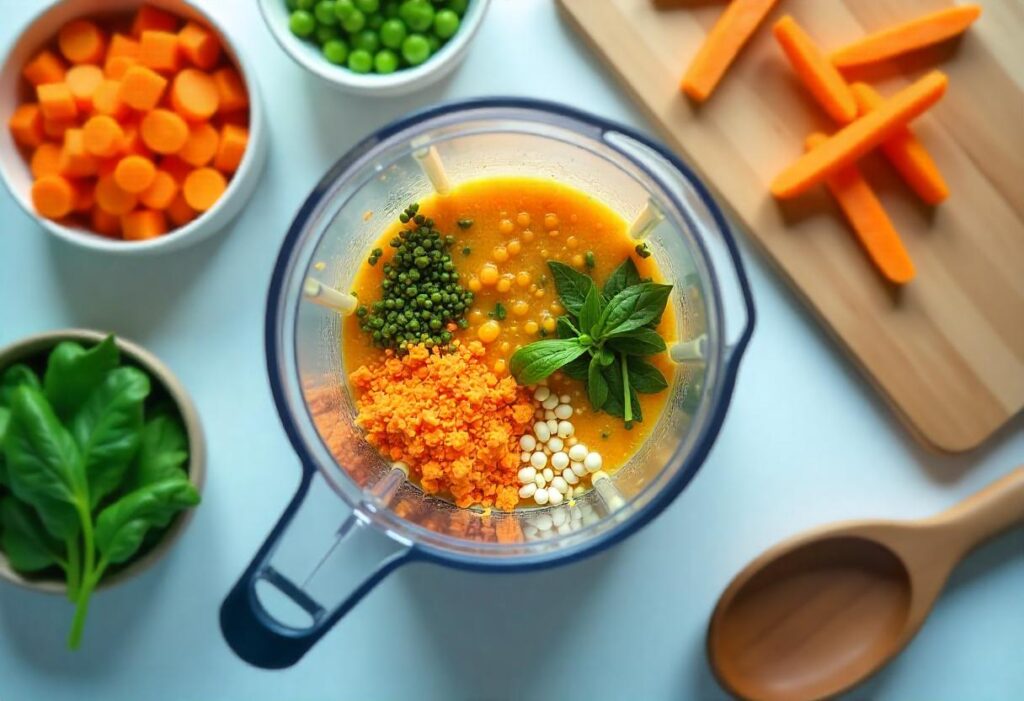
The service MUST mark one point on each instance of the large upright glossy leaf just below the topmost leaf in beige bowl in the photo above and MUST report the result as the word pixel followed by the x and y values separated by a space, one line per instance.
pixel 108 429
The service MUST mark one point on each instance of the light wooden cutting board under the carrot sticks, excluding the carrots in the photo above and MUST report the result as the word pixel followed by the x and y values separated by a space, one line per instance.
pixel 948 350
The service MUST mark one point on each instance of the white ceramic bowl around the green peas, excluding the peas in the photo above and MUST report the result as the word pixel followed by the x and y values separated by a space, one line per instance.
pixel 308 55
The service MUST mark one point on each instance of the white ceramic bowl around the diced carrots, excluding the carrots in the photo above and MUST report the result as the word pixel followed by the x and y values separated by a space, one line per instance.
pixel 15 169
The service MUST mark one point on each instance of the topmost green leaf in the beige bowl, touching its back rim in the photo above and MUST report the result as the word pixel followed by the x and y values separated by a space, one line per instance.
pixel 73 373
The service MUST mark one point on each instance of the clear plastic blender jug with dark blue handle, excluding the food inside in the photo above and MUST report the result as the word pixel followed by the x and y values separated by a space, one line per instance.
pixel 385 520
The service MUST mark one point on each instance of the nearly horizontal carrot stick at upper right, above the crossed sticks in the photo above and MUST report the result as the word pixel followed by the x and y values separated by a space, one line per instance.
pixel 908 36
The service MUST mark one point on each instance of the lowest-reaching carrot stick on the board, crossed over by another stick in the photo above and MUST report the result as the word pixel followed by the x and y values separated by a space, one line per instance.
pixel 869 220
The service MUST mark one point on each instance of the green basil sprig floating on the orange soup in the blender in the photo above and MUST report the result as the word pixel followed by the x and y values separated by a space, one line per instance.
pixel 603 339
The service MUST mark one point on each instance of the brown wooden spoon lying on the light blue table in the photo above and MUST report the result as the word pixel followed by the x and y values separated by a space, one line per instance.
pixel 819 614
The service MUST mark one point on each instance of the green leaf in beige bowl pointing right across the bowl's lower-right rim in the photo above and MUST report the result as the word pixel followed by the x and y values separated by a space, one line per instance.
pixel 123 525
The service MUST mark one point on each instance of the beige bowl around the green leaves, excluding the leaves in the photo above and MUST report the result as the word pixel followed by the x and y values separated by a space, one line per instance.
pixel 42 343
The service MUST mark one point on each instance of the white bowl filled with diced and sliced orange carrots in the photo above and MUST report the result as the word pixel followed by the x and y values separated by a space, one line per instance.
pixel 131 127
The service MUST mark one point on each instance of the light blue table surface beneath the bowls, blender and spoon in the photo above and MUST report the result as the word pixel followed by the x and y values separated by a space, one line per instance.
pixel 806 442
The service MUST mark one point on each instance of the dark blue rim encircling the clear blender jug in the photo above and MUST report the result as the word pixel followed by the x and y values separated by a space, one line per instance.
pixel 732 355
